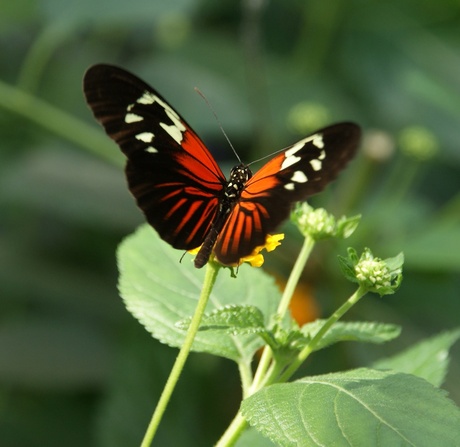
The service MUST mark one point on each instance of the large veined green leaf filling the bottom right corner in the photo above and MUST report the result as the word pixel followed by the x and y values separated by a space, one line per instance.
pixel 361 407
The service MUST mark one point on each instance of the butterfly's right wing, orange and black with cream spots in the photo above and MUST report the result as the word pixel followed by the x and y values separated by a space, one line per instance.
pixel 295 174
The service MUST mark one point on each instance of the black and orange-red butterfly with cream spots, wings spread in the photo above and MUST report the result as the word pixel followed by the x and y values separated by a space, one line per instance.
pixel 181 189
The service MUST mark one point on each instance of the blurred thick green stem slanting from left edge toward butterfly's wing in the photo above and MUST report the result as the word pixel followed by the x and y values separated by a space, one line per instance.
pixel 59 122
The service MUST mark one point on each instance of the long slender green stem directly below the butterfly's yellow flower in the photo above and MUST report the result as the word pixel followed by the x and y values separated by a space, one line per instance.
pixel 210 278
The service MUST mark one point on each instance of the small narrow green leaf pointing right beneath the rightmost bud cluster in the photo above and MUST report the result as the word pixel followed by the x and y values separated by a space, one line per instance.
pixel 368 332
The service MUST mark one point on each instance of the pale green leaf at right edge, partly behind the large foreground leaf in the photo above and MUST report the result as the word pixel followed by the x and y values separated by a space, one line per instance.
pixel 428 359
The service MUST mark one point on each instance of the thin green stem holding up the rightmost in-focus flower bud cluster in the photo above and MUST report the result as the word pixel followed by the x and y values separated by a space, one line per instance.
pixel 344 308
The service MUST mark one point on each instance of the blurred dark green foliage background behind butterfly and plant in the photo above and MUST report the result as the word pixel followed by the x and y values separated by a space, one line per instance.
pixel 75 367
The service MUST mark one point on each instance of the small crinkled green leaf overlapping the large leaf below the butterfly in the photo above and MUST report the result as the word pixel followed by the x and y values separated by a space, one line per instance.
pixel 233 319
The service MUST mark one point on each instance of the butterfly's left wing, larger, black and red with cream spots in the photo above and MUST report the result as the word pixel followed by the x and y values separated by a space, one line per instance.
pixel 174 178
